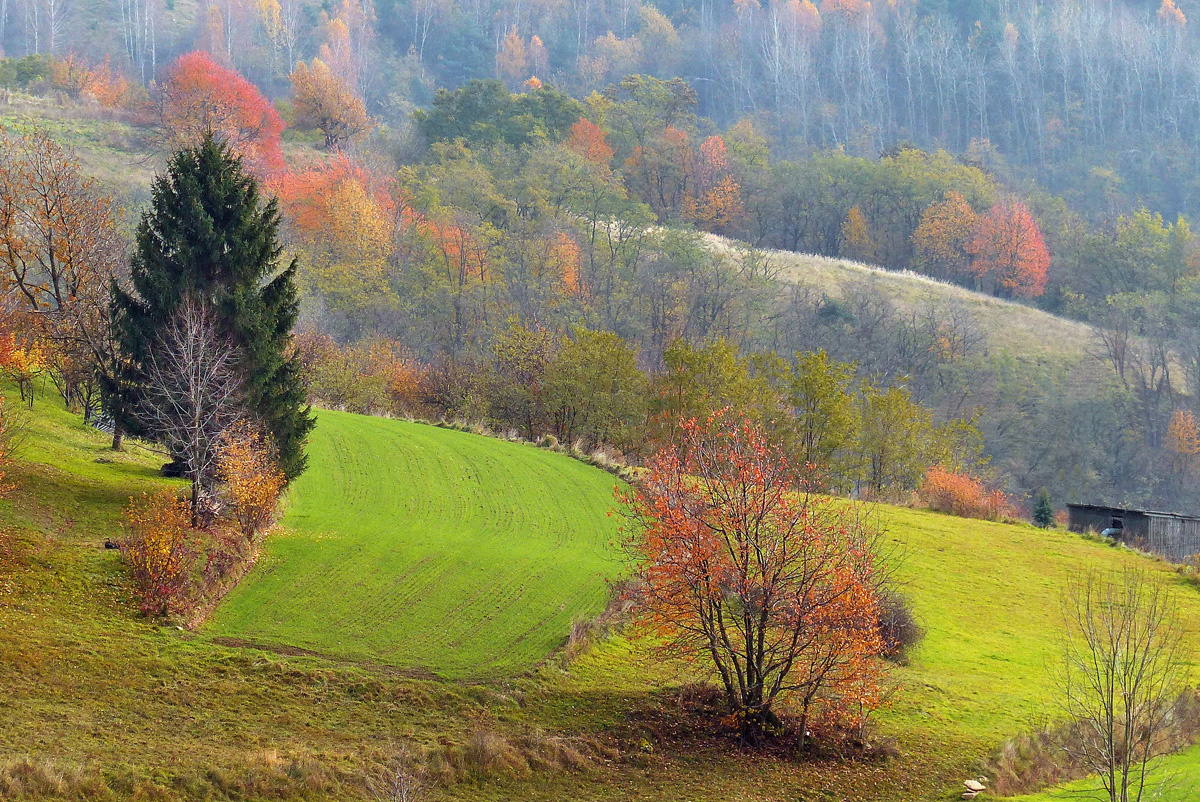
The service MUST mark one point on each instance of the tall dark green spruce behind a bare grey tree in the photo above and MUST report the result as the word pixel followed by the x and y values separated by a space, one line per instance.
pixel 209 235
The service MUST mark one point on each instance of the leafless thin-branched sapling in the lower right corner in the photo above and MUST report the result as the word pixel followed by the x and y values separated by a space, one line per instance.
pixel 1120 678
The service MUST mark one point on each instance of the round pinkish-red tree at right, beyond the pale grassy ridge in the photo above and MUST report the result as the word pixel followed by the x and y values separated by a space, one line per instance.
pixel 1007 249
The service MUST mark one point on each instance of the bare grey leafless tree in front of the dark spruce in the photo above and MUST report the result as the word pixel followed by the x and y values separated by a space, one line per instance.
pixel 193 396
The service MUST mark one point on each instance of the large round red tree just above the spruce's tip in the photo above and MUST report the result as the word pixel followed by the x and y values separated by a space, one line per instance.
pixel 201 97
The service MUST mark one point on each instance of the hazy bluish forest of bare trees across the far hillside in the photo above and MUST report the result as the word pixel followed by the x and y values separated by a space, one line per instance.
pixel 1097 100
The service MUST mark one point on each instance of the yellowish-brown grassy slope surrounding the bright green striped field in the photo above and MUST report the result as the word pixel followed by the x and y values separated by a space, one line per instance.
pixel 86 681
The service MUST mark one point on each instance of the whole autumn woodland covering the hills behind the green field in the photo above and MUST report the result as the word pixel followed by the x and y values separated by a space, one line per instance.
pixel 500 214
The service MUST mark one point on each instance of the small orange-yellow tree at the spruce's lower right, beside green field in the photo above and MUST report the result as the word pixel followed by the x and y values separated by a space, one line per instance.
pixel 247 465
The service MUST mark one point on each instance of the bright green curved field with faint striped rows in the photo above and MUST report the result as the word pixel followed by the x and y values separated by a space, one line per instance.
pixel 430 549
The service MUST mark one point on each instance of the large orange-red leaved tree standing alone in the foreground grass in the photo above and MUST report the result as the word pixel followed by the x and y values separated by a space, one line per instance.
pixel 746 570
